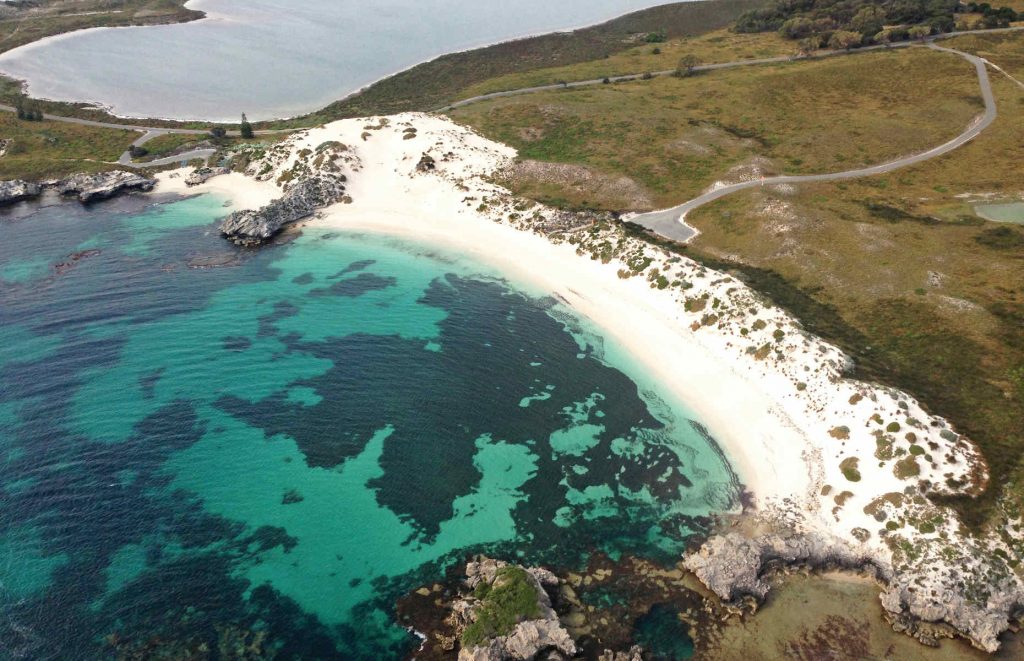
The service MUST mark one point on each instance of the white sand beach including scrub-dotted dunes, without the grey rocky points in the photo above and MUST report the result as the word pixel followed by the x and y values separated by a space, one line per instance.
pixel 820 452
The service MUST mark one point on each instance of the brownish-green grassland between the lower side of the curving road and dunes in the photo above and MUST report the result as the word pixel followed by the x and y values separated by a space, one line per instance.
pixel 903 266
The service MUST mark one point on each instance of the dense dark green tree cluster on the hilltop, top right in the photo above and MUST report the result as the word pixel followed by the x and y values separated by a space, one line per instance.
pixel 848 24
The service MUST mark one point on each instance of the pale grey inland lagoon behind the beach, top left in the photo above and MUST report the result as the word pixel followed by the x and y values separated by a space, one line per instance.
pixel 278 59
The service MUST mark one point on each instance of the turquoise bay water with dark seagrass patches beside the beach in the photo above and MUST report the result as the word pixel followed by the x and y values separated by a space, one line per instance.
pixel 270 455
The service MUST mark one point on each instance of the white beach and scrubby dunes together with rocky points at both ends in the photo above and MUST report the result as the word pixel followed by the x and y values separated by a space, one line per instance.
pixel 846 474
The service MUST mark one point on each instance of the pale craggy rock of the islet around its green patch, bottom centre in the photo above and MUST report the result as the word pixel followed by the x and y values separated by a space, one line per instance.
pixel 541 637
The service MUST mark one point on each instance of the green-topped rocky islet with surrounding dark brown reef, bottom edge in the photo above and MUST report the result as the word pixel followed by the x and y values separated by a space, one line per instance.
pixel 490 610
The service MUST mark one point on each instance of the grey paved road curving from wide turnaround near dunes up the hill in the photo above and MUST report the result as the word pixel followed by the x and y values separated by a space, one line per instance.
pixel 670 224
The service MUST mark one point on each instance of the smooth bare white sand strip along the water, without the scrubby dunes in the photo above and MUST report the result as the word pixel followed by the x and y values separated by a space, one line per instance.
pixel 649 326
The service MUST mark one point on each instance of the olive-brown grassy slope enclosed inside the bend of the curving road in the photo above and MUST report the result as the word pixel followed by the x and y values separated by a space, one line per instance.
pixel 671 138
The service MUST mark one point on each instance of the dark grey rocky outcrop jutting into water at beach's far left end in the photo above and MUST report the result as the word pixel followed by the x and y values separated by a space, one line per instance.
pixel 302 201
